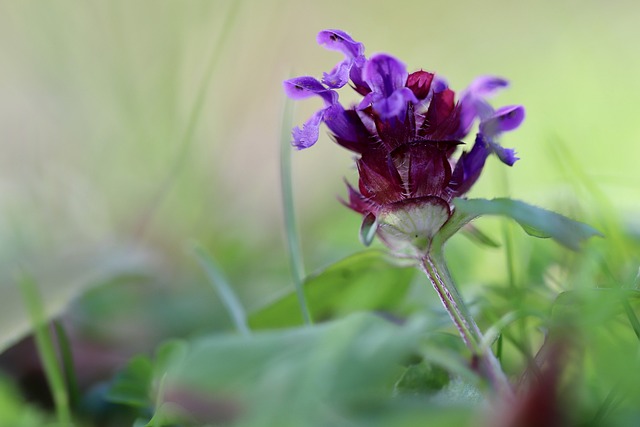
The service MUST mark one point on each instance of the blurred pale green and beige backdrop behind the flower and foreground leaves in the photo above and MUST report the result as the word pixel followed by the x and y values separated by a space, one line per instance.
pixel 130 129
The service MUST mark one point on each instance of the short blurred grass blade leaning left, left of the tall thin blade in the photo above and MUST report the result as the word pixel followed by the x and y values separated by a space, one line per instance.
pixel 223 289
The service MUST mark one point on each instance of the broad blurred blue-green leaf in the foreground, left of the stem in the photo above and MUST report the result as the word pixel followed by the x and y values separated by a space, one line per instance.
pixel 310 373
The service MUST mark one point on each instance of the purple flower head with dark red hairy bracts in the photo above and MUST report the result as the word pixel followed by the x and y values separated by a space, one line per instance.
pixel 405 131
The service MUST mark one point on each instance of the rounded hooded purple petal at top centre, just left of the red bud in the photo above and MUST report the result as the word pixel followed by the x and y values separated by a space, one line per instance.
pixel 385 74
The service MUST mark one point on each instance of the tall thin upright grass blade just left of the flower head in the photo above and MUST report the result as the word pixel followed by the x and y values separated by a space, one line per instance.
pixel 293 240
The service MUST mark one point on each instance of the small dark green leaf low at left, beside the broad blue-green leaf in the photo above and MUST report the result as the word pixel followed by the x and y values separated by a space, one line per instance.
pixel 132 385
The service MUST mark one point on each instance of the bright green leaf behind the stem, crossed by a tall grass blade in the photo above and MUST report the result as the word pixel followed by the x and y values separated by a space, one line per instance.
pixel 368 280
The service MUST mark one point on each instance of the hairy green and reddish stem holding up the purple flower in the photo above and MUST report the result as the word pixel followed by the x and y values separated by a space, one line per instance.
pixel 434 266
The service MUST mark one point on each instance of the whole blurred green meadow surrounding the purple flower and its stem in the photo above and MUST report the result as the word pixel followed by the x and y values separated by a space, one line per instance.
pixel 169 260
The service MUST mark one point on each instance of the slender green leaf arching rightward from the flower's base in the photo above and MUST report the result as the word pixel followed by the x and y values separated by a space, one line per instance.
pixel 535 221
